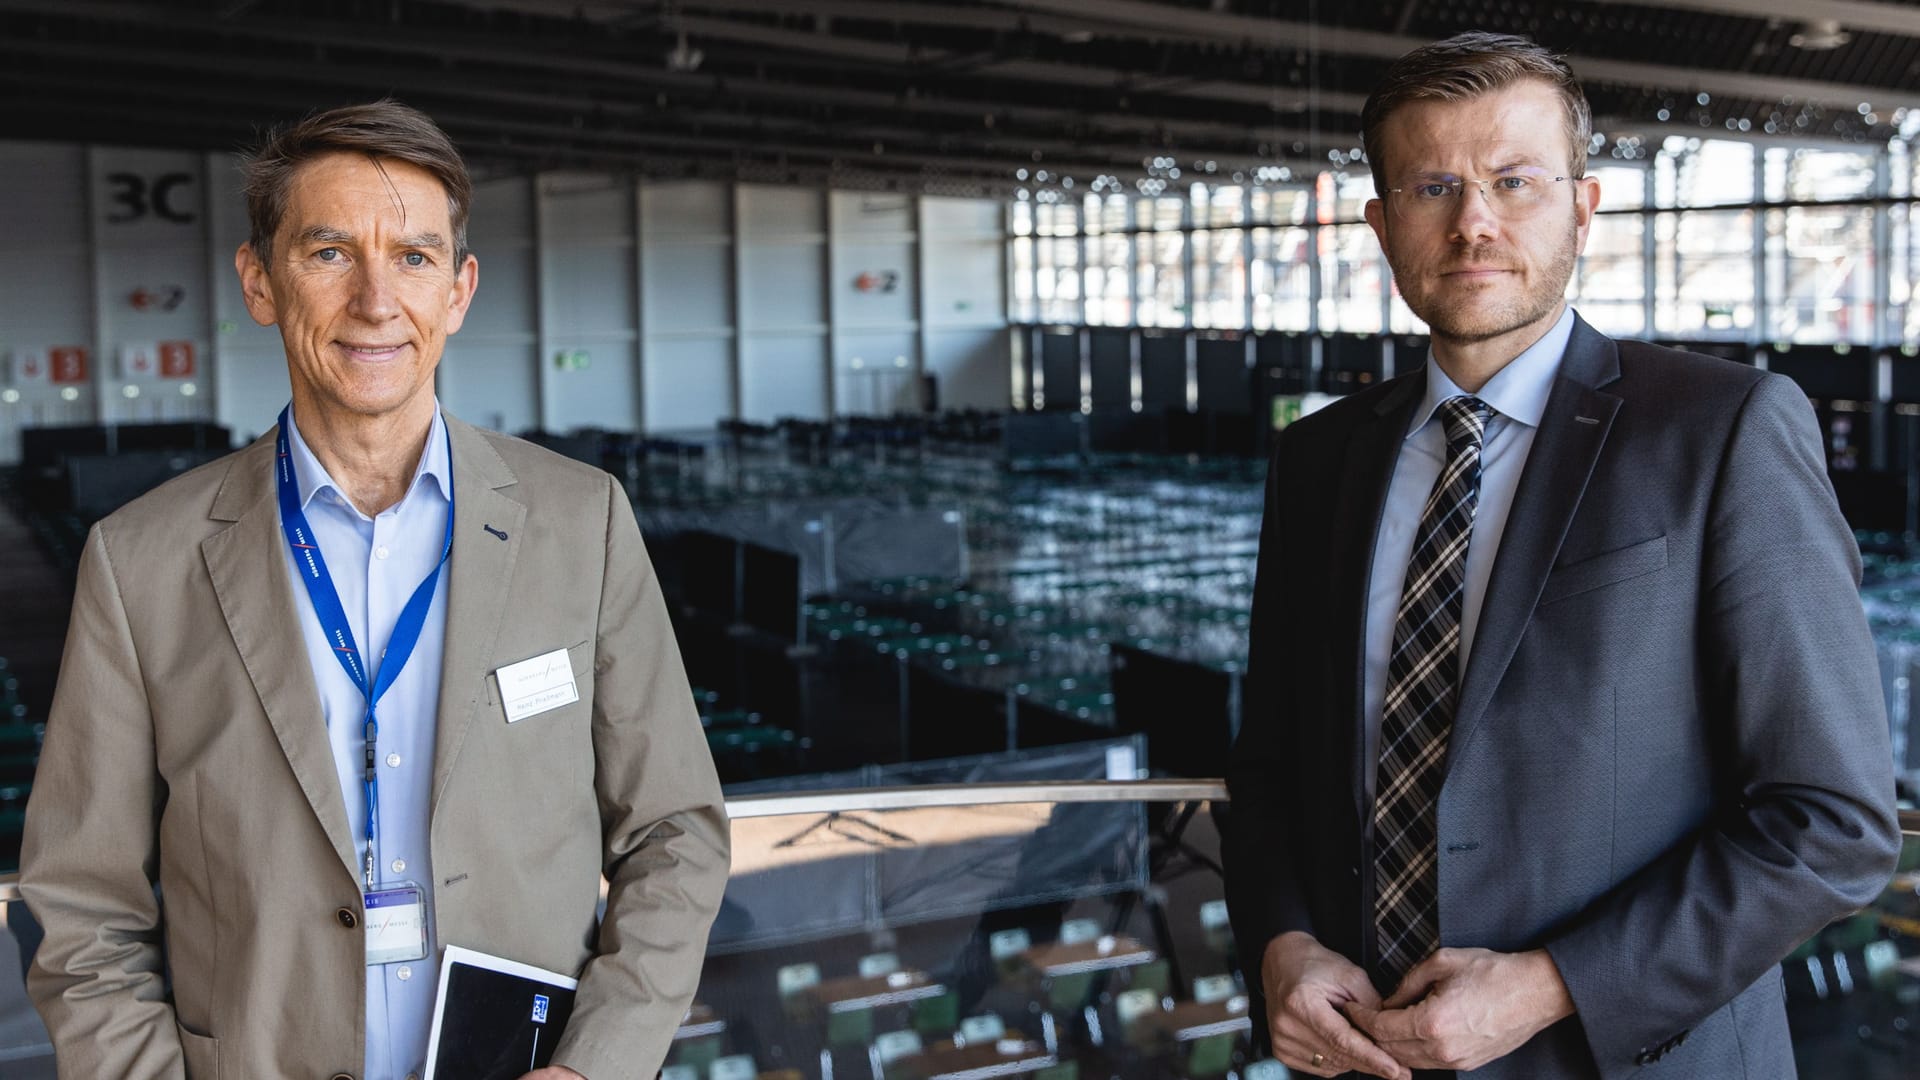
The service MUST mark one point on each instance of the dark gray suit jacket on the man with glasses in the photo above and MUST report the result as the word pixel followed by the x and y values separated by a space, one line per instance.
pixel 1669 758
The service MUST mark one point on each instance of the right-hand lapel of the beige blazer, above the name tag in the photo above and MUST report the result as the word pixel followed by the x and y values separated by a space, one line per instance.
pixel 487 541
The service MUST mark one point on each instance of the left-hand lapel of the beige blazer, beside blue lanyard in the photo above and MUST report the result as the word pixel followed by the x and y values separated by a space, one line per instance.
pixel 256 597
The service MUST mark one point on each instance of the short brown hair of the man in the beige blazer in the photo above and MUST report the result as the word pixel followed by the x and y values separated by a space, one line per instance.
pixel 377 130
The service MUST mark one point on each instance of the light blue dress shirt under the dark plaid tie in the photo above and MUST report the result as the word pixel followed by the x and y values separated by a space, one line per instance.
pixel 1518 395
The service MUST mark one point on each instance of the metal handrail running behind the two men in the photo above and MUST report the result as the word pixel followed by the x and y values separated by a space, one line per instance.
pixel 917 797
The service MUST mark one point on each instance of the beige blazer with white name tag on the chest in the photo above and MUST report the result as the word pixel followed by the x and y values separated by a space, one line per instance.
pixel 187 752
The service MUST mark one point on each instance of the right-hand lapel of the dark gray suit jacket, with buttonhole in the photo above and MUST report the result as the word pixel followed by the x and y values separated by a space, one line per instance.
pixel 1558 468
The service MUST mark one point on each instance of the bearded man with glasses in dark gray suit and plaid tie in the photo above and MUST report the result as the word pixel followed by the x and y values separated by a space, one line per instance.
pixel 1564 724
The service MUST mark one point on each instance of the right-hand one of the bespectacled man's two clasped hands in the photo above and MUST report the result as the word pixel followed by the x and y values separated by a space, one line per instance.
pixel 1464 1008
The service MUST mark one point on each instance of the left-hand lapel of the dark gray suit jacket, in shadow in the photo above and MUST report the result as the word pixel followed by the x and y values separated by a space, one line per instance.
pixel 1374 449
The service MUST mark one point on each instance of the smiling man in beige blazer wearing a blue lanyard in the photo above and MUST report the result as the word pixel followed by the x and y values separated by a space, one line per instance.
pixel 189 843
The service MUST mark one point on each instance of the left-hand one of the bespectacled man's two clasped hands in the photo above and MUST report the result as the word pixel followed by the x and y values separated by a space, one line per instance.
pixel 1307 989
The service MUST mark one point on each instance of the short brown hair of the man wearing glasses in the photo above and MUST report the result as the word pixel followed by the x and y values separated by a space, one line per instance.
pixel 1468 66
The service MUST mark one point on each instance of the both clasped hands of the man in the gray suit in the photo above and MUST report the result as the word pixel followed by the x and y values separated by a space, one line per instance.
pixel 1456 1010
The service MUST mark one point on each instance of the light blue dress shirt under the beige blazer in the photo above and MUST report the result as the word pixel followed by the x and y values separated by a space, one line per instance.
pixel 377 564
